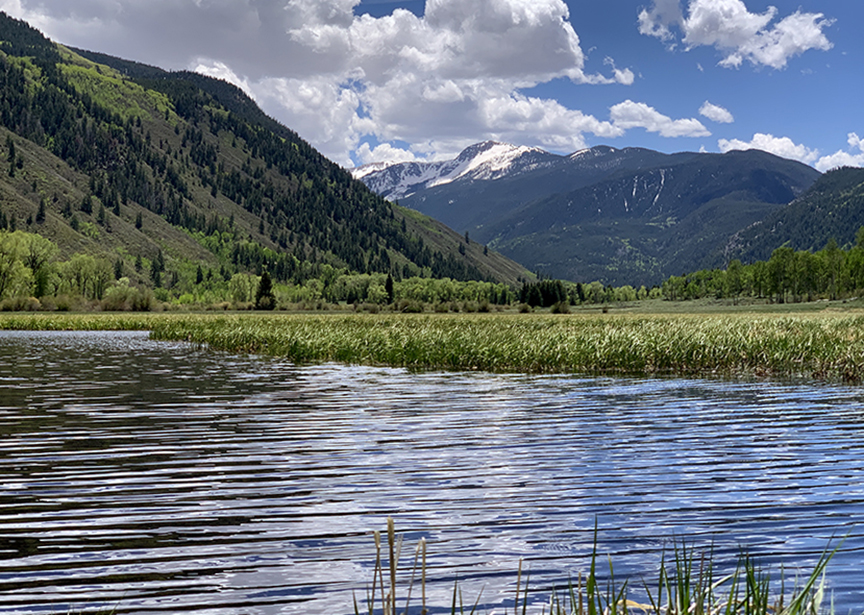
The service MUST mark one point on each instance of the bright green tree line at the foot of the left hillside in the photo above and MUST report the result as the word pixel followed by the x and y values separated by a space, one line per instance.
pixel 33 277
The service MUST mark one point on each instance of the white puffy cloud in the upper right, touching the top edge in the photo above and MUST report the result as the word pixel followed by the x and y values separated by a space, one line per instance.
pixel 739 34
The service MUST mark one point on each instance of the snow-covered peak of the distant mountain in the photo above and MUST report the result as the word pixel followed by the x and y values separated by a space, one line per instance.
pixel 483 161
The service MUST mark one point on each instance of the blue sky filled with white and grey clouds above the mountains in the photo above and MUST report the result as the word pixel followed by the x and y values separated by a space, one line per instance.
pixel 374 79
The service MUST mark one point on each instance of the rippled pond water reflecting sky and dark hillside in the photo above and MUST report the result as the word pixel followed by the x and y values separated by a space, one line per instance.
pixel 162 478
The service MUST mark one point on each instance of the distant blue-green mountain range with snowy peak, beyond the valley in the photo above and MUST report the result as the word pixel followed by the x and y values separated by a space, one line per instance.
pixel 621 216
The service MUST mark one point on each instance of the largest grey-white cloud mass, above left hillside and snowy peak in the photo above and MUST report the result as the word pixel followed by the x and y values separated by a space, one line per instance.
pixel 450 77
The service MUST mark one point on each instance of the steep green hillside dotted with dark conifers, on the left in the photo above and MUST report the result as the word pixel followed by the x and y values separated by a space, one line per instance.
pixel 134 165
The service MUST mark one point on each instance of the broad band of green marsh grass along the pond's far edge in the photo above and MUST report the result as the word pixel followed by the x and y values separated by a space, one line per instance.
pixel 823 345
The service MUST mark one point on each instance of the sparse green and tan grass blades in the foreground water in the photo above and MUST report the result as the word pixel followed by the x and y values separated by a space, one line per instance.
pixel 686 585
